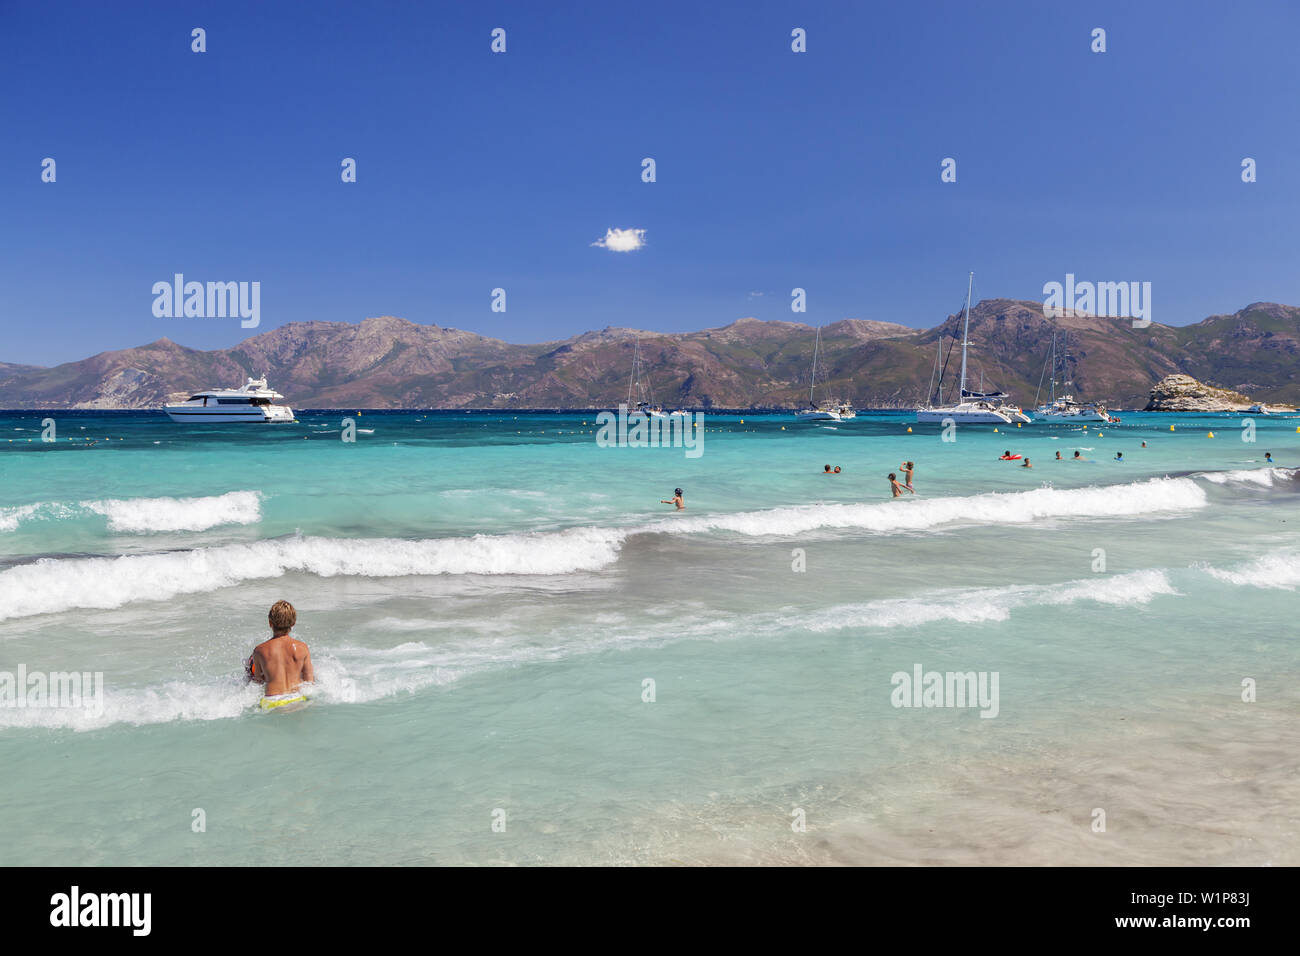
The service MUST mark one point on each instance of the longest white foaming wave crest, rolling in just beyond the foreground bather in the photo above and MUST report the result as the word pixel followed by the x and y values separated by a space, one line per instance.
pixel 50 586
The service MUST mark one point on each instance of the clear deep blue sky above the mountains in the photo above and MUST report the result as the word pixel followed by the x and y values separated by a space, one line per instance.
pixel 775 170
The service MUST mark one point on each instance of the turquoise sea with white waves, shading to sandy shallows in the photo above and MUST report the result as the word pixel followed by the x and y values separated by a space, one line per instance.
pixel 523 657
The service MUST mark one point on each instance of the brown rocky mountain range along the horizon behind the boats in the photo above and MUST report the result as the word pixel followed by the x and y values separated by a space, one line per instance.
pixel 393 364
